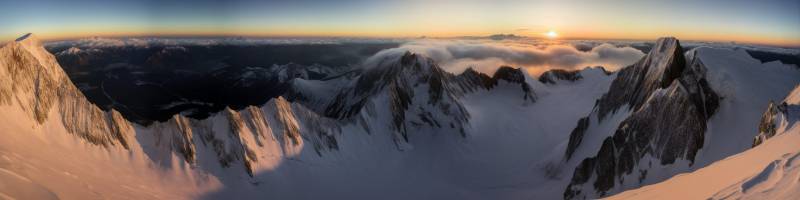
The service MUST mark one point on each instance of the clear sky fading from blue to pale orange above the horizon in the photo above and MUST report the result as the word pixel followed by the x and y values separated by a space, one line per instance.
pixel 775 22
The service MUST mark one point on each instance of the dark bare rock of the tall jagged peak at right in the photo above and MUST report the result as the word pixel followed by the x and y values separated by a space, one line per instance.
pixel 671 103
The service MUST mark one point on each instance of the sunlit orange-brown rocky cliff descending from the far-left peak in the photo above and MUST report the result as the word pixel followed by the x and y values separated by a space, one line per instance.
pixel 34 81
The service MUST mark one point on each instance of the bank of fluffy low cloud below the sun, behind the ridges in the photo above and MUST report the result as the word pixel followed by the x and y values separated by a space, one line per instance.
pixel 487 56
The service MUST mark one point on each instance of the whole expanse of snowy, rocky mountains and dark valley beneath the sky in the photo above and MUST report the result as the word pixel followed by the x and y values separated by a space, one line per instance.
pixel 400 127
